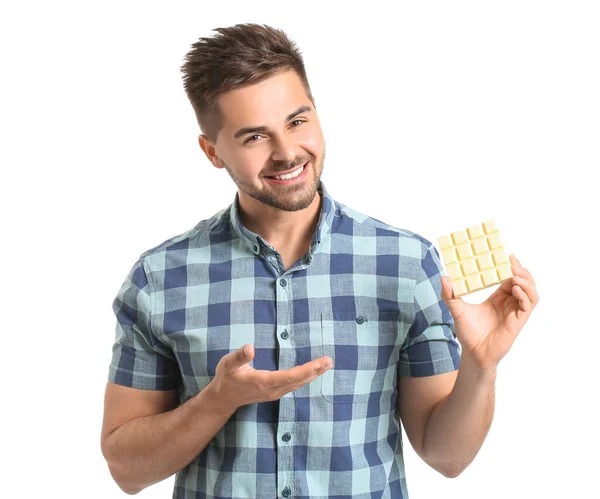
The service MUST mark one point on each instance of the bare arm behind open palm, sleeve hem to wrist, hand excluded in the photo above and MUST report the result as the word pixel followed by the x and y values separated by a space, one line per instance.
pixel 145 440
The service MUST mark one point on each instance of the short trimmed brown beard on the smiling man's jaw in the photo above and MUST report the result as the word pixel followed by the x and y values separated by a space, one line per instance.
pixel 292 197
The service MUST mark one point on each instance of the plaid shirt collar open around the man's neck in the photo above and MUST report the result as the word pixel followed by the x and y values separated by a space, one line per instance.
pixel 254 240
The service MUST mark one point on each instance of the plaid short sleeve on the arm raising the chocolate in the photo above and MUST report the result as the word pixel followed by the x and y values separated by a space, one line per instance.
pixel 430 346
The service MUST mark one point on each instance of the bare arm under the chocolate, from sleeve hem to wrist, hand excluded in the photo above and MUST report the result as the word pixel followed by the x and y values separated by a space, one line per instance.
pixel 448 416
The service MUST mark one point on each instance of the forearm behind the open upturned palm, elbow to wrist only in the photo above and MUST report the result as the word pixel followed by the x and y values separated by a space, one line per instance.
pixel 149 449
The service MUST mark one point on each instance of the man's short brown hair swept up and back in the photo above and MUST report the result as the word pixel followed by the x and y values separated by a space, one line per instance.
pixel 242 55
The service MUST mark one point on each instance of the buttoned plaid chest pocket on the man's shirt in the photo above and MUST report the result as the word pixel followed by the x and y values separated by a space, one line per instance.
pixel 364 353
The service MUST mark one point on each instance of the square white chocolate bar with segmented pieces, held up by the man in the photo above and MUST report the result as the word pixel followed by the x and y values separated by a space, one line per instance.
pixel 474 258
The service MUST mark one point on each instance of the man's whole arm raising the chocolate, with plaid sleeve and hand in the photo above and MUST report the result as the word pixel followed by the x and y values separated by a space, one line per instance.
pixel 447 416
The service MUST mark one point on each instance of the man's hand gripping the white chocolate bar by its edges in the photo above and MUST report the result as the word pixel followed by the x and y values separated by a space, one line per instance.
pixel 487 331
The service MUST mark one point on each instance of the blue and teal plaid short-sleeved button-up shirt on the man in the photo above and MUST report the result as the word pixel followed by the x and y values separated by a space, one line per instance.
pixel 366 294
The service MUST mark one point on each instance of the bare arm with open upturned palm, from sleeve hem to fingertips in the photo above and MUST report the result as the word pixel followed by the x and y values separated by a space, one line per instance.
pixel 144 440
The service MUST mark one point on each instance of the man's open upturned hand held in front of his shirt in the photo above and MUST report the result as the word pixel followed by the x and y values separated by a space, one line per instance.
pixel 237 384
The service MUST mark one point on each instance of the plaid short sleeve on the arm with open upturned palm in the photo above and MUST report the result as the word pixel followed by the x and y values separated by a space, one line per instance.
pixel 139 359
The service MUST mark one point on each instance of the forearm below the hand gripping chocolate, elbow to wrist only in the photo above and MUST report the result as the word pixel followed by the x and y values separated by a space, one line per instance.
pixel 459 423
